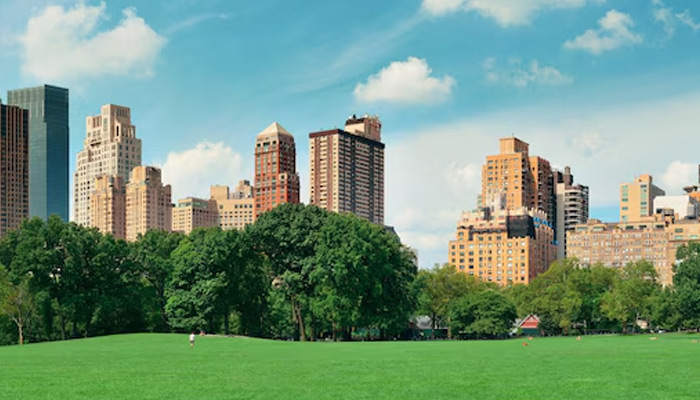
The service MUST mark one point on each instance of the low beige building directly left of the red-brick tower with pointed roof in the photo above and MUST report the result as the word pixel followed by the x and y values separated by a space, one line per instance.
pixel 235 209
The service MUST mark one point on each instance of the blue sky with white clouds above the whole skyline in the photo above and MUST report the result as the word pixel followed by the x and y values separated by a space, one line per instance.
pixel 608 87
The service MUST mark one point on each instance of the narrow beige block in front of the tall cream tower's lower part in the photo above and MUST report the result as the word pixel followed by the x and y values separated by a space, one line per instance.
pixel 108 205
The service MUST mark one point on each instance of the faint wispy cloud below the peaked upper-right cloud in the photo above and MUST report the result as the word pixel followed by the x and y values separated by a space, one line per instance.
pixel 521 76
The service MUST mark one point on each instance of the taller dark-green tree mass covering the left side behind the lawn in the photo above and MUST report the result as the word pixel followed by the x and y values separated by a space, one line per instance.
pixel 299 272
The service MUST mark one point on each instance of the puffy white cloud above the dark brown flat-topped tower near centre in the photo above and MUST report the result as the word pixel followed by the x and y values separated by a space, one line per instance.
pixel 407 81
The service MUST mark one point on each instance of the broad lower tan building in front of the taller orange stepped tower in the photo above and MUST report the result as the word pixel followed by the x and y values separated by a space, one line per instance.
pixel 503 246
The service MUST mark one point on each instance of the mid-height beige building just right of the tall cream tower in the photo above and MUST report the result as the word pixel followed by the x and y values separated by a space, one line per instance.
pixel 148 203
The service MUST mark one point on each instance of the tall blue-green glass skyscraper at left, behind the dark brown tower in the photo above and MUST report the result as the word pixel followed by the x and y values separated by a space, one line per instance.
pixel 48 148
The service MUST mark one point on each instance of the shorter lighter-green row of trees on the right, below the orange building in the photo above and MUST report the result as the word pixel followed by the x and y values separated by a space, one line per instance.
pixel 568 299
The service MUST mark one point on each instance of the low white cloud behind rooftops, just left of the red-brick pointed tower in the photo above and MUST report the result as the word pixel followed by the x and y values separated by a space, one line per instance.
pixel 191 172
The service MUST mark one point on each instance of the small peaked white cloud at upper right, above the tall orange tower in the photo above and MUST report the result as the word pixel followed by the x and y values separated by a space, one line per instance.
pixel 614 32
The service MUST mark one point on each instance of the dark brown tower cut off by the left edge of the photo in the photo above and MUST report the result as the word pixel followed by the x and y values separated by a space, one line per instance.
pixel 14 168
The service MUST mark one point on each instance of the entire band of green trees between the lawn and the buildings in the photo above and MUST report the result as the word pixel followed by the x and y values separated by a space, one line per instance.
pixel 302 273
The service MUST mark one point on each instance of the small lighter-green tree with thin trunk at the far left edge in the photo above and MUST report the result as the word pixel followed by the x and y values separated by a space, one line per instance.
pixel 16 301
